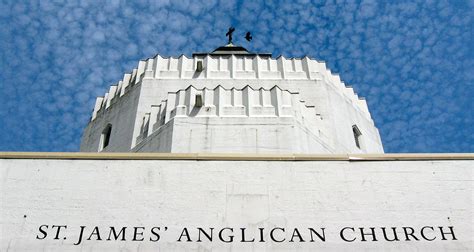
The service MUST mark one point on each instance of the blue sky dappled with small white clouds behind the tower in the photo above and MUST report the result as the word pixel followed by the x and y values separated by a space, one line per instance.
pixel 412 60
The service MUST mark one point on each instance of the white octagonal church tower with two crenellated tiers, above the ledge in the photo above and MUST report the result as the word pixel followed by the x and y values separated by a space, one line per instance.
pixel 231 101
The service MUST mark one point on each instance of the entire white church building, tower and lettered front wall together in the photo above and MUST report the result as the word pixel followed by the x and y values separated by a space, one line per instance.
pixel 232 150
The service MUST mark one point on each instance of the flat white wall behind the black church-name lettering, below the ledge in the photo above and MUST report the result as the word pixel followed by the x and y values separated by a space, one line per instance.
pixel 237 194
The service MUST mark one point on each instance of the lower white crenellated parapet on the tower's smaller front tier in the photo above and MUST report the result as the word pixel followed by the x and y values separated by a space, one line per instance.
pixel 225 103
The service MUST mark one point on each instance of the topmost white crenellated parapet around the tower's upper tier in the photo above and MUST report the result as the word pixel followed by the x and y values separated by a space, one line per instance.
pixel 223 67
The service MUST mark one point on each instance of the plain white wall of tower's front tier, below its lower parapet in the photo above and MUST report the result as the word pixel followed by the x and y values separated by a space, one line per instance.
pixel 235 135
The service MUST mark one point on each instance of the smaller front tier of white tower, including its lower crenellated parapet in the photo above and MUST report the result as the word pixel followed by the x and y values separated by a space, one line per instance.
pixel 233 121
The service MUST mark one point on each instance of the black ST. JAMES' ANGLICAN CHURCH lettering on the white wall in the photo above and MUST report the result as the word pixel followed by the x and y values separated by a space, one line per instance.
pixel 85 234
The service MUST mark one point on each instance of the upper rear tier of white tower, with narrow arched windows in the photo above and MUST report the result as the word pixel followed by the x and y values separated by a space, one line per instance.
pixel 140 94
